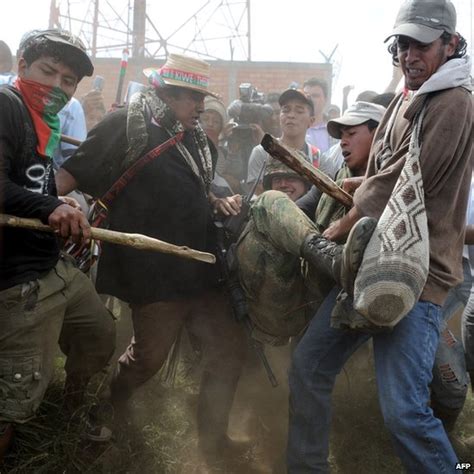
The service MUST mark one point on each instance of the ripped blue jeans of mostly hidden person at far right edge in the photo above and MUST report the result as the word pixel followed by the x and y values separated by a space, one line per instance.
pixel 450 380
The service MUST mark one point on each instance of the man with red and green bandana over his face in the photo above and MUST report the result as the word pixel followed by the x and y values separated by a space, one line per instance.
pixel 44 299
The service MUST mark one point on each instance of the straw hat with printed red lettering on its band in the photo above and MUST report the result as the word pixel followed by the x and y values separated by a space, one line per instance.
pixel 182 71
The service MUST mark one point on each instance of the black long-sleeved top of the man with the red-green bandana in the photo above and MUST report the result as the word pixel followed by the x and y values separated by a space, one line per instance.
pixel 27 189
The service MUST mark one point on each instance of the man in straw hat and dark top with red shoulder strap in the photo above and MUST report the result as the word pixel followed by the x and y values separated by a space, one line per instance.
pixel 170 200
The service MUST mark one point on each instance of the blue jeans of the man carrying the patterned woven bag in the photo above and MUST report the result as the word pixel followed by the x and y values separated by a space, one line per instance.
pixel 403 364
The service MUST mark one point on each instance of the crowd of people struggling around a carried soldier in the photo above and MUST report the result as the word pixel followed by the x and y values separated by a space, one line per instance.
pixel 173 161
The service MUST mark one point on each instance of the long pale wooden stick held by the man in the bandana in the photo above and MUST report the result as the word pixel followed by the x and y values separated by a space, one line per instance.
pixel 137 241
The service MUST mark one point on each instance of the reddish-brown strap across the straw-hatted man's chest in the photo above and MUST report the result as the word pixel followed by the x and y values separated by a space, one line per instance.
pixel 106 200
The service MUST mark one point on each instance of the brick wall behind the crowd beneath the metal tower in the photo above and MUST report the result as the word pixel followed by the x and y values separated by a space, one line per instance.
pixel 226 76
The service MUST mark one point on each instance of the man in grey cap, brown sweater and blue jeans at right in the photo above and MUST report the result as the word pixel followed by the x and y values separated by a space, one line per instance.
pixel 437 79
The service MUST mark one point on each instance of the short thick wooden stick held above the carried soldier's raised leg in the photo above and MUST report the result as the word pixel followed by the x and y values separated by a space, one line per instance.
pixel 303 168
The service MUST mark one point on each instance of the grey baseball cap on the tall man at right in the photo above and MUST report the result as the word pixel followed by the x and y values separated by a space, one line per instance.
pixel 425 20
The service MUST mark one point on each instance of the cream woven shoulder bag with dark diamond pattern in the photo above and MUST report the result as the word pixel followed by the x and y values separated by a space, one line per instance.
pixel 395 266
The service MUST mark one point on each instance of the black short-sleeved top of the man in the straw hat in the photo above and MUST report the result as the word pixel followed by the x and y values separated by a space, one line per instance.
pixel 165 200
